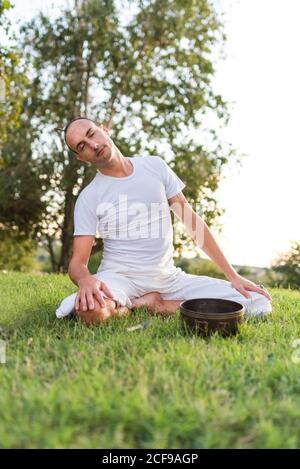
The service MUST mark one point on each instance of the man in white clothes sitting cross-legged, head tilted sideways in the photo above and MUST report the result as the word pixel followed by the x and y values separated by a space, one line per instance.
pixel 129 203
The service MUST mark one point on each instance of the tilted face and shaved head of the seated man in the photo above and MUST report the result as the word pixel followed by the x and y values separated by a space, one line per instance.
pixel 92 143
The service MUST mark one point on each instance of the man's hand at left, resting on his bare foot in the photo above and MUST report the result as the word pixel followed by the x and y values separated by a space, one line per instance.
pixel 90 287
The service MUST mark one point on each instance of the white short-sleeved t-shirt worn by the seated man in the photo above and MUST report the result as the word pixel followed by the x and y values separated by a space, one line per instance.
pixel 133 217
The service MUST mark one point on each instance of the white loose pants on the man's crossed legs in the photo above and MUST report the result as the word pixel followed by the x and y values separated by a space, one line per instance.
pixel 177 286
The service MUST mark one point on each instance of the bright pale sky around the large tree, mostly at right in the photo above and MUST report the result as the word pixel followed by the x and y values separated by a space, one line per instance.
pixel 260 76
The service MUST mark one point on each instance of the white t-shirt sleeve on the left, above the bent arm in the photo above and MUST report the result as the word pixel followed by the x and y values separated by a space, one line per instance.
pixel 85 218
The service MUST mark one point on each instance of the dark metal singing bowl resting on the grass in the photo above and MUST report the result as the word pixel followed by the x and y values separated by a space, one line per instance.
pixel 204 316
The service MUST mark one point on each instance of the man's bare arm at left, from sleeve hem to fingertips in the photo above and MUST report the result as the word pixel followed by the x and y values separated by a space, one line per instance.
pixel 89 286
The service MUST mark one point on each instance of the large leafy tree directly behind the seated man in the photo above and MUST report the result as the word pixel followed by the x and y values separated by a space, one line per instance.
pixel 148 80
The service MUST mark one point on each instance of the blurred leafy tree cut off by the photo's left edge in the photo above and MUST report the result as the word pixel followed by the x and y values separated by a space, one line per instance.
pixel 16 247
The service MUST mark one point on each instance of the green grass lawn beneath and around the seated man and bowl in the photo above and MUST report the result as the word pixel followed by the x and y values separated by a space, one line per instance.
pixel 68 385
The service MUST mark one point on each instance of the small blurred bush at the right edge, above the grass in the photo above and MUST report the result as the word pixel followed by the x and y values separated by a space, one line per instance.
pixel 287 265
